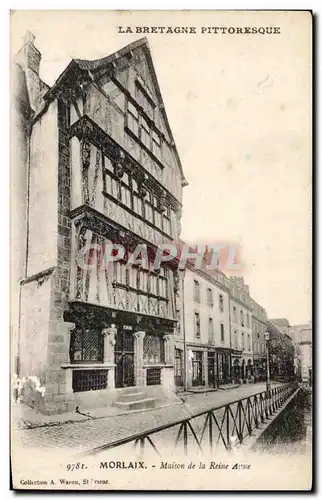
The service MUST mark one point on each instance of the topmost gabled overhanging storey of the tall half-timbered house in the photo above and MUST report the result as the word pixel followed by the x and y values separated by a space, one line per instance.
pixel 120 95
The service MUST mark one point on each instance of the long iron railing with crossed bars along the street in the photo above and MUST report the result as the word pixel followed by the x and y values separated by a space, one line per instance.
pixel 223 426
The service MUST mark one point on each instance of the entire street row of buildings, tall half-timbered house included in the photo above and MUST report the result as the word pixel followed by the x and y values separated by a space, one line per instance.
pixel 94 161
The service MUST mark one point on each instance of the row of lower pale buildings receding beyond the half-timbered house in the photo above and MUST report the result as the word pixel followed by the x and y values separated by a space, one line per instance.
pixel 226 333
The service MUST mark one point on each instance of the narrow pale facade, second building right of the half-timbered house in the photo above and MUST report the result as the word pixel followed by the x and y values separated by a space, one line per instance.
pixel 241 330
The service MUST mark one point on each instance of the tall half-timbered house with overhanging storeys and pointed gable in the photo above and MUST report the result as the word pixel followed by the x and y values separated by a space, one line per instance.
pixel 103 170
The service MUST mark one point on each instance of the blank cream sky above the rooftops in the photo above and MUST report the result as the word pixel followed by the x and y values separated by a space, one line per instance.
pixel 239 107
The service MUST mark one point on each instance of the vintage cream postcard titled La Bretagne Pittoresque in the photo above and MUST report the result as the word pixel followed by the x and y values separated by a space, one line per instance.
pixel 161 324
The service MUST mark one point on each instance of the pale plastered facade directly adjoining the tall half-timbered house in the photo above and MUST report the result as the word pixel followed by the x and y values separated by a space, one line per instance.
pixel 205 332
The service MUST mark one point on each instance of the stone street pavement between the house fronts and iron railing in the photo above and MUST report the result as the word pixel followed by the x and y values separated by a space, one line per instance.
pixel 83 435
